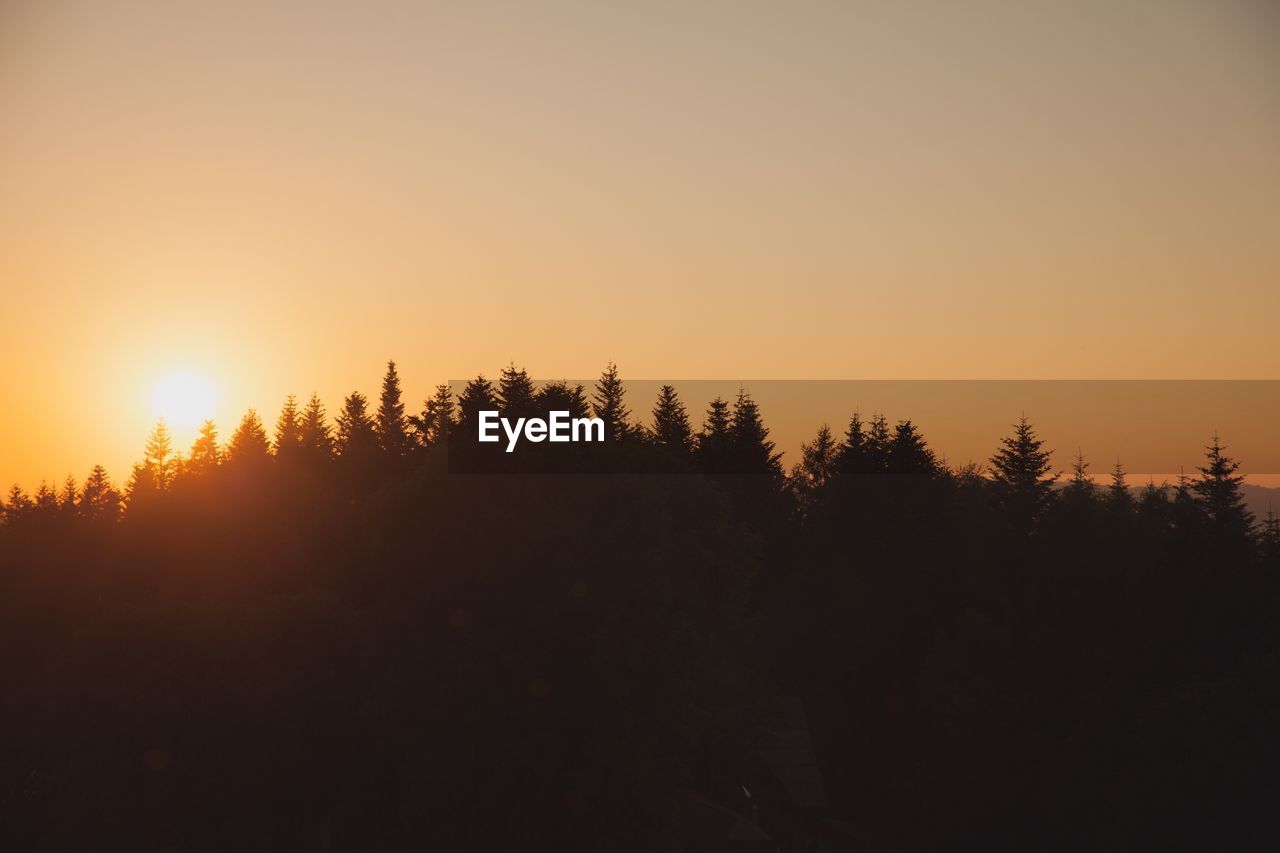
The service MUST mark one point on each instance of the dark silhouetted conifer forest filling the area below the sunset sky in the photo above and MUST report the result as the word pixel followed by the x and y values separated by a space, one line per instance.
pixel 321 638
